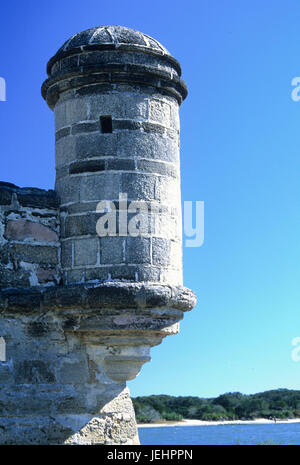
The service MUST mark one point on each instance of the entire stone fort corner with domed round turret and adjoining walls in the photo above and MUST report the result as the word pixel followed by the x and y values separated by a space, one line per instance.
pixel 97 264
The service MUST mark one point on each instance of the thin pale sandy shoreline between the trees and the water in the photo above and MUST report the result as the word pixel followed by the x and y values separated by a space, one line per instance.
pixel 257 421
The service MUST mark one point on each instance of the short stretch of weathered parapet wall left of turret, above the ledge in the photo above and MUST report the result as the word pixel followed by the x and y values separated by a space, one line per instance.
pixel 29 237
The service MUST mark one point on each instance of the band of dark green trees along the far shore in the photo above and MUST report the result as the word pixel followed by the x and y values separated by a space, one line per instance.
pixel 279 403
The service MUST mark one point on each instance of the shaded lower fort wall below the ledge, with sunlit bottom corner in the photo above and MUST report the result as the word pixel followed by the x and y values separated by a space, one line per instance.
pixel 53 389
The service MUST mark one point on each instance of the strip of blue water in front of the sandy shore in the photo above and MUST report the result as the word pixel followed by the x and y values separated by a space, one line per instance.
pixel 274 433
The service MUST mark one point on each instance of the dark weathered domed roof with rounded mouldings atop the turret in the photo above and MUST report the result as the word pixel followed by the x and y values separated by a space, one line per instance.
pixel 109 55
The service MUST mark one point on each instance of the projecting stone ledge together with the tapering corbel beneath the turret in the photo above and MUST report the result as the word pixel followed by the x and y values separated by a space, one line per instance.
pixel 118 322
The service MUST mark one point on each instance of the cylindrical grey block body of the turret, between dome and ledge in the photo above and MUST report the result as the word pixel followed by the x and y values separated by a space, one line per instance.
pixel 139 158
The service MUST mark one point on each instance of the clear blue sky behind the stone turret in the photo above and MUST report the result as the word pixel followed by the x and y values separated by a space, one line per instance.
pixel 240 155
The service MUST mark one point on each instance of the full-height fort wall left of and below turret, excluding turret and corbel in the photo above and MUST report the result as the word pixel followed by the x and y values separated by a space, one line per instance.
pixel 44 368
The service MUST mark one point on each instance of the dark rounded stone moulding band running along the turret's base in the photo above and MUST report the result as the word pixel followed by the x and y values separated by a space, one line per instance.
pixel 110 295
